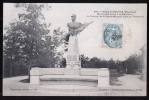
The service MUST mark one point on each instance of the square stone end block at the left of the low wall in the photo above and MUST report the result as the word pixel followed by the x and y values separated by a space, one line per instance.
pixel 34 76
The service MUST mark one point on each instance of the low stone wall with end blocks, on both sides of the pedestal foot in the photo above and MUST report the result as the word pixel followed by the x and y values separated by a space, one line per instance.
pixel 101 74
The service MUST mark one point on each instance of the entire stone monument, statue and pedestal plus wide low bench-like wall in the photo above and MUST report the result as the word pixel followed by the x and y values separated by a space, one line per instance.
pixel 73 70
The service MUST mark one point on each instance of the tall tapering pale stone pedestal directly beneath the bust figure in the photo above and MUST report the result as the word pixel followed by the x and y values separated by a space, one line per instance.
pixel 72 58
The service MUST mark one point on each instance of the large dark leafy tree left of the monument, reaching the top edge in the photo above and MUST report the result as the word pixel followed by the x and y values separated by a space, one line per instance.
pixel 28 40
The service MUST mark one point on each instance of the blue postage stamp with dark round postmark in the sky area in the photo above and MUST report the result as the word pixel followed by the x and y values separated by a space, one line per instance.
pixel 112 35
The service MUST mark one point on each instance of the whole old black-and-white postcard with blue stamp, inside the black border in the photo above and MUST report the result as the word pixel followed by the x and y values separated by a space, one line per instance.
pixel 74 49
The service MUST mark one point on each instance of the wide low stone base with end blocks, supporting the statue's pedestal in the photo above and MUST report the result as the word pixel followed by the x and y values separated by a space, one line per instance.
pixel 44 75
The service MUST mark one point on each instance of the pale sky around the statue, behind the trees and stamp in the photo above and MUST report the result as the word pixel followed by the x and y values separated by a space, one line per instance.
pixel 90 40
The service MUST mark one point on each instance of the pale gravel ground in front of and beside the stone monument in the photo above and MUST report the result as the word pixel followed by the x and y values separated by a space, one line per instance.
pixel 128 85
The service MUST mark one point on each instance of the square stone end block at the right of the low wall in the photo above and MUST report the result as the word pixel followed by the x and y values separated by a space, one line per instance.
pixel 103 77
